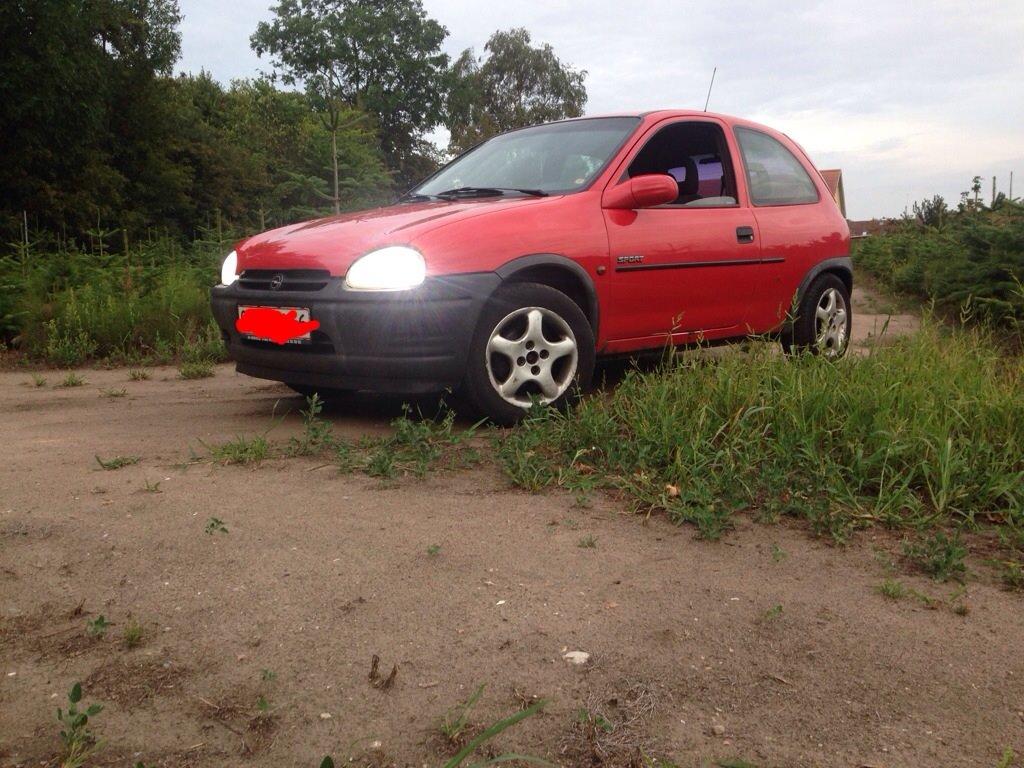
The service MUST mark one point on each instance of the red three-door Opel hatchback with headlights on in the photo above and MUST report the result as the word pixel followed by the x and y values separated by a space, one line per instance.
pixel 507 273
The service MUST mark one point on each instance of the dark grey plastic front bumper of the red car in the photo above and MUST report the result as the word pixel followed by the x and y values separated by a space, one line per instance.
pixel 405 342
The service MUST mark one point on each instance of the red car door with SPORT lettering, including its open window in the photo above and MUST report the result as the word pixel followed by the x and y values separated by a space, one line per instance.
pixel 688 270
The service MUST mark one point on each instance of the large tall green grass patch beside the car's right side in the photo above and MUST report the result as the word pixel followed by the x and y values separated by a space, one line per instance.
pixel 926 431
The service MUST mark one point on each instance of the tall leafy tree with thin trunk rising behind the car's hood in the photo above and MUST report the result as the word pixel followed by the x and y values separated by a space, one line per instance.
pixel 383 57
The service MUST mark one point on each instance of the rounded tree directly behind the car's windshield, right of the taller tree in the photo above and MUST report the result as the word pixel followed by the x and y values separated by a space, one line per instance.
pixel 516 86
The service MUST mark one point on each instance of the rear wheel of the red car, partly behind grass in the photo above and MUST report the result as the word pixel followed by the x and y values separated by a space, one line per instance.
pixel 824 320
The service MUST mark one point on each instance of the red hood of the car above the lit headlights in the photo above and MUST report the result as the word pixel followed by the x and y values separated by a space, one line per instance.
pixel 334 243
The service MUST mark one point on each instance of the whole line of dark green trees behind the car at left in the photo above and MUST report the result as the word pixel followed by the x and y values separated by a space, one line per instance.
pixel 101 138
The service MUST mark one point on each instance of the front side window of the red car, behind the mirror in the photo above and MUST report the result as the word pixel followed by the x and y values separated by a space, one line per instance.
pixel 697 156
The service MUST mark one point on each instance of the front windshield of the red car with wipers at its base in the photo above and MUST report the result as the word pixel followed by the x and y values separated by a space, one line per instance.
pixel 554 159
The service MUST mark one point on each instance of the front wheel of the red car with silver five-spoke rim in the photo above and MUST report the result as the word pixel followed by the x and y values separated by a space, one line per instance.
pixel 532 344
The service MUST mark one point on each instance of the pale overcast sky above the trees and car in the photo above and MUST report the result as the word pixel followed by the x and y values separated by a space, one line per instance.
pixel 909 99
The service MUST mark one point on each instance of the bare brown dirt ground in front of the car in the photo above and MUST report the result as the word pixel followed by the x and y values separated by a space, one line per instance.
pixel 771 647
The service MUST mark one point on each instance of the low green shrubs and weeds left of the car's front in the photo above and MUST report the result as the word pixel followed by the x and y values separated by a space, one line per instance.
pixel 149 305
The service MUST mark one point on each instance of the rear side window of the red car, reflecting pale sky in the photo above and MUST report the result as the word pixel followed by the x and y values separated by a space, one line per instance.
pixel 774 175
